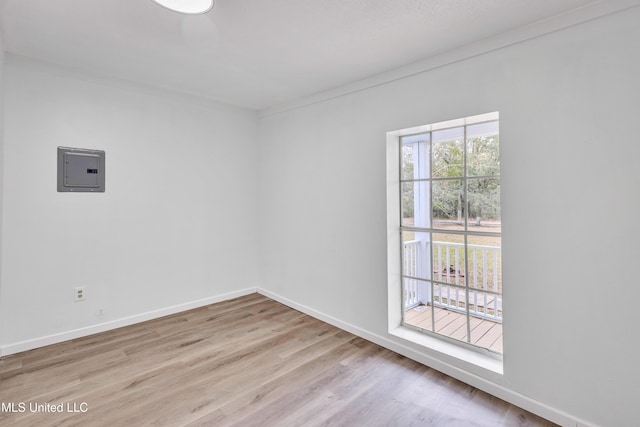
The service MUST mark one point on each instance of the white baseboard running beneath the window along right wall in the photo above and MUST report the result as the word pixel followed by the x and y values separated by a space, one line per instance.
pixel 467 377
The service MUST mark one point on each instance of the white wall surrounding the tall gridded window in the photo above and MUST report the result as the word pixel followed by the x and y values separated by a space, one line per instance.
pixel 569 103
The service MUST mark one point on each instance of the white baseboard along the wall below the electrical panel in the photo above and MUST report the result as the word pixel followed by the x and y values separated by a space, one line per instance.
pixel 118 323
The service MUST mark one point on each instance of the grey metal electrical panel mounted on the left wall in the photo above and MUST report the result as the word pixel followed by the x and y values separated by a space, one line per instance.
pixel 80 170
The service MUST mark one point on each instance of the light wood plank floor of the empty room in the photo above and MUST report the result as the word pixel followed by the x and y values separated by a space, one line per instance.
pixel 246 362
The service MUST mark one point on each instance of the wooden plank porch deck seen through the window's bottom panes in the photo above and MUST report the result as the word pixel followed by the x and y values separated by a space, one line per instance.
pixel 484 333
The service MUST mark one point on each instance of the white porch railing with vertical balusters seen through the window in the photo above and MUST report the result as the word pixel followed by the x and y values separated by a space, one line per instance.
pixel 448 288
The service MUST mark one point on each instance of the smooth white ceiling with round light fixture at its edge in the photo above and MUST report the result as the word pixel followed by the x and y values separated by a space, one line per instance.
pixel 257 53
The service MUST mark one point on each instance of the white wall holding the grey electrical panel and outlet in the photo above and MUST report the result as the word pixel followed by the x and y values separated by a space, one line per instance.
pixel 175 225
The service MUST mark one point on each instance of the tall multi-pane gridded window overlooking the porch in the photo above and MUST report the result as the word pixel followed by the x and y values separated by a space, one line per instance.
pixel 450 228
